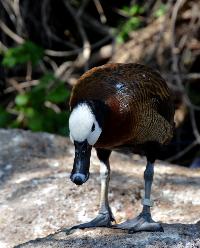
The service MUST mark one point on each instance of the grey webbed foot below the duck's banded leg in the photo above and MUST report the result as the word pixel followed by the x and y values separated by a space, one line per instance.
pixel 143 222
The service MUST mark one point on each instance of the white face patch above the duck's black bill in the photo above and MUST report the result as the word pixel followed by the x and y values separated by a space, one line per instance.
pixel 81 123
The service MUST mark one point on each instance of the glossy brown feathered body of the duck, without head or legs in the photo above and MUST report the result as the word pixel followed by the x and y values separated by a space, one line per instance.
pixel 140 103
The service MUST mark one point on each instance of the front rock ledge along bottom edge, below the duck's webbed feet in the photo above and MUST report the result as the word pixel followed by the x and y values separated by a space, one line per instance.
pixel 175 235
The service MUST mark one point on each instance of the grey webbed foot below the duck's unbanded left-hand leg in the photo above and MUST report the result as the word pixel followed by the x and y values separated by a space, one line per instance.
pixel 103 219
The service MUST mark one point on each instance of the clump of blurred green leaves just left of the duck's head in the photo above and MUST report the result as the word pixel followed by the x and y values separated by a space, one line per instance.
pixel 36 115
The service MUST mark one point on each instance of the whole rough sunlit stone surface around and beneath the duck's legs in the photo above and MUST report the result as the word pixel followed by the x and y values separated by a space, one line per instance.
pixel 37 198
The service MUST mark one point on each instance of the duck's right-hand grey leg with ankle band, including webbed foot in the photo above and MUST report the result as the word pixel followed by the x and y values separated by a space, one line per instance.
pixel 144 222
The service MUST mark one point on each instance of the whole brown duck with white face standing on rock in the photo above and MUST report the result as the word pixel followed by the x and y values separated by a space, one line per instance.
pixel 120 107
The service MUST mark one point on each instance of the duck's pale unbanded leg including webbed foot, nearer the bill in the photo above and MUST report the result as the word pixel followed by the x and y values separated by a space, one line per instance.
pixel 104 217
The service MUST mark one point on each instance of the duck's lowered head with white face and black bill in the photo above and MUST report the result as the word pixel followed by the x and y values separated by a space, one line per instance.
pixel 84 133
